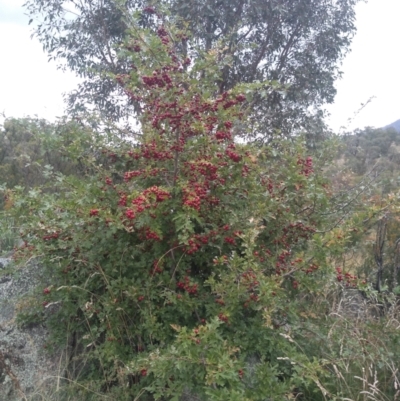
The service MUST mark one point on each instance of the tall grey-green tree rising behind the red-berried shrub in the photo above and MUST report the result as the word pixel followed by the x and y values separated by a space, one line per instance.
pixel 296 43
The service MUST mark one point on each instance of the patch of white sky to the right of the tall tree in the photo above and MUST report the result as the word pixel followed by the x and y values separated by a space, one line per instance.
pixel 372 68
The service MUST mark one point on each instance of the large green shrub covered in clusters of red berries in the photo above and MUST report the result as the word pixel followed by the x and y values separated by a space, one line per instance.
pixel 175 266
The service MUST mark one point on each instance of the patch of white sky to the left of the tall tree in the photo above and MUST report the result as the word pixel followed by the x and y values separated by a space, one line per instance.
pixel 29 85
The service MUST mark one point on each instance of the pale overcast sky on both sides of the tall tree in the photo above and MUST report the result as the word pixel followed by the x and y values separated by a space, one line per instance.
pixel 29 85
